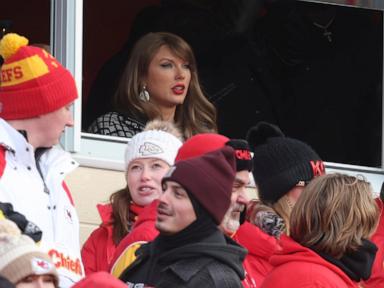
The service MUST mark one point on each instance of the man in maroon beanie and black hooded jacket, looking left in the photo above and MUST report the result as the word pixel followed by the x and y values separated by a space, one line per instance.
pixel 190 251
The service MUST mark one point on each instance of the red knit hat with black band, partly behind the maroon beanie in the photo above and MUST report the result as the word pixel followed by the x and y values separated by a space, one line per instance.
pixel 202 143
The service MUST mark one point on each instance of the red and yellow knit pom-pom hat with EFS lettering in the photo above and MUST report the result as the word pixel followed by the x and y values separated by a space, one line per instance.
pixel 32 81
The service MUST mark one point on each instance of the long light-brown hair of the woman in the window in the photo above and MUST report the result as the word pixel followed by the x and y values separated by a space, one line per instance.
pixel 196 115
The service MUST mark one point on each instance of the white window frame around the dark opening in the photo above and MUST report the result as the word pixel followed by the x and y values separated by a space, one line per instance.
pixel 106 152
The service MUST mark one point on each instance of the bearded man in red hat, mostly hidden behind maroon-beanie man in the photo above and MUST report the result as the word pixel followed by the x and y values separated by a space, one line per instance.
pixel 233 224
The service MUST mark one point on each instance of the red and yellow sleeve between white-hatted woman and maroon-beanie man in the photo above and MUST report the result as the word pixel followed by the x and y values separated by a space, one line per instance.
pixel 142 231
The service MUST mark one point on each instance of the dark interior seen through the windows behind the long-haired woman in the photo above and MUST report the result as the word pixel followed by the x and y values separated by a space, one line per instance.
pixel 257 60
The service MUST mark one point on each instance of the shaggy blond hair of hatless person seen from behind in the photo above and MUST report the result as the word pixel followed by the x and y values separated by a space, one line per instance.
pixel 333 214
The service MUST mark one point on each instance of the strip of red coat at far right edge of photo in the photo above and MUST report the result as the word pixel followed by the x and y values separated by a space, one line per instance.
pixel 377 277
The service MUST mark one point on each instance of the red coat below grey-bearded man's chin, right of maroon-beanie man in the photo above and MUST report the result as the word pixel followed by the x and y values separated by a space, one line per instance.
pixel 261 247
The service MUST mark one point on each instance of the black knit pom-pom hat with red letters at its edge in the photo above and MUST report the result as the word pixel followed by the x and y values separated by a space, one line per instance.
pixel 280 162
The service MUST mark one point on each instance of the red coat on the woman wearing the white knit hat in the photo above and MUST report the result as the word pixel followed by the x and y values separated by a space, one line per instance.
pixel 99 249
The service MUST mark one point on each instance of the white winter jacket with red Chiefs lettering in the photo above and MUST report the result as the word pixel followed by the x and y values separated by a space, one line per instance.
pixel 48 205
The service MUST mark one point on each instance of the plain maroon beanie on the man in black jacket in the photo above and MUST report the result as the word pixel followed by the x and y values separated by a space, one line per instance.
pixel 209 178
